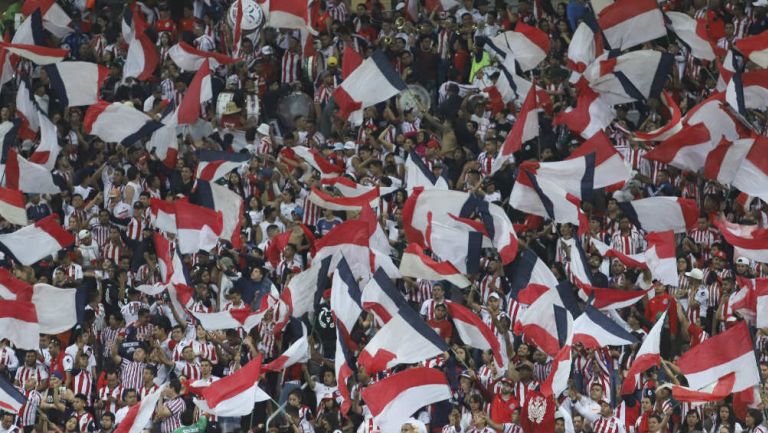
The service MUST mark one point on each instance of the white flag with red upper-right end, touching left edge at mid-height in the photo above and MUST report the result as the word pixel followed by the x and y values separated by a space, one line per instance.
pixel 33 243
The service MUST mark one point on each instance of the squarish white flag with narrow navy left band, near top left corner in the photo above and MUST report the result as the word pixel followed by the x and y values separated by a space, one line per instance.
pixel 76 83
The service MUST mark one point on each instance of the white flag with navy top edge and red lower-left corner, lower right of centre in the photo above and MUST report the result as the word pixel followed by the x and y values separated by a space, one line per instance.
pixel 594 330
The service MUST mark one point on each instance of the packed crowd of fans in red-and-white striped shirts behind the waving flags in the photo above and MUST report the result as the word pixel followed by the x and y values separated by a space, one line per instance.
pixel 130 343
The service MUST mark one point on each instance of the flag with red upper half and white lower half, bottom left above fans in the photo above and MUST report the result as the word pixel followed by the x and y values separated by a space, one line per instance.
pixel 233 395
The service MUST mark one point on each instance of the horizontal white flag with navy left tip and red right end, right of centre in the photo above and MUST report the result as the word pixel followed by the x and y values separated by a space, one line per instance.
pixel 658 214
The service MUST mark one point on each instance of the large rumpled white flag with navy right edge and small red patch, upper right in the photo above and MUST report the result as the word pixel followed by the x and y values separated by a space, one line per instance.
pixel 634 76
